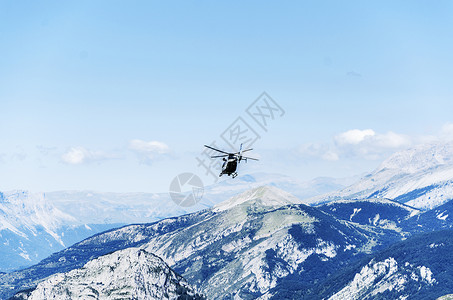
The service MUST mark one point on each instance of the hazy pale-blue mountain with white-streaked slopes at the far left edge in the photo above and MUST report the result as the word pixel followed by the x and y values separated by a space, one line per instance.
pixel 31 229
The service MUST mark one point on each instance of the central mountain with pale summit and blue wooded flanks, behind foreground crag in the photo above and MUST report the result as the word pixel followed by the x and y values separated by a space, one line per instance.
pixel 253 245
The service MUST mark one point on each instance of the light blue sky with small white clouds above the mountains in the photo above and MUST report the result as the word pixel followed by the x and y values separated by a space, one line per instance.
pixel 121 96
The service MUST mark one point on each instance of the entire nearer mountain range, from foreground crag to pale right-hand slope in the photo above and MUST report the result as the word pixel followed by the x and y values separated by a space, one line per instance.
pixel 367 241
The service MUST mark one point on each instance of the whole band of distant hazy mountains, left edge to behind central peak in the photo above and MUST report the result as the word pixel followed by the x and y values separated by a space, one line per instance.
pixel 34 225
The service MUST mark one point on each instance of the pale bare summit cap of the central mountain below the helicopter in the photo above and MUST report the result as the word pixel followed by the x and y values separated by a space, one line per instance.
pixel 265 195
